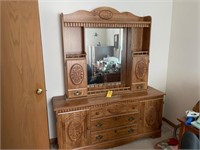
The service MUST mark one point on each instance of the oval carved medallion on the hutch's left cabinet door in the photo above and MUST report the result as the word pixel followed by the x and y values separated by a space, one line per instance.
pixel 76 74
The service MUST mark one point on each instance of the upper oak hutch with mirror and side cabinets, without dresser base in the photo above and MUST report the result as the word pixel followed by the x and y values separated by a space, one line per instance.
pixel 105 49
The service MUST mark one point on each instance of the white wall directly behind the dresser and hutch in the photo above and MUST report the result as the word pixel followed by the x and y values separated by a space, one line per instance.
pixel 160 10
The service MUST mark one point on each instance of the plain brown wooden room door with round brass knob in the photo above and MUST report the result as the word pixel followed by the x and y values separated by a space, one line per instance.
pixel 24 113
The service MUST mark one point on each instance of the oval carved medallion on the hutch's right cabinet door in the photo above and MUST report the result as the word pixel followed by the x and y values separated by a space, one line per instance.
pixel 140 69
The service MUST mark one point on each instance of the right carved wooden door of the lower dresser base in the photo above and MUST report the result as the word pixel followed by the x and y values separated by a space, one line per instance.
pixel 151 115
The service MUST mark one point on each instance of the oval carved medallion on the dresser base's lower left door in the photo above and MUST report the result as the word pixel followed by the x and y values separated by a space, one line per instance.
pixel 75 130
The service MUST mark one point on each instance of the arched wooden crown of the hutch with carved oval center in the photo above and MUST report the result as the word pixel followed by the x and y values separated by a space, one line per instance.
pixel 104 17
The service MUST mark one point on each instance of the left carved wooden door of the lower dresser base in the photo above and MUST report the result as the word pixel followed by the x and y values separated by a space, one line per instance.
pixel 73 129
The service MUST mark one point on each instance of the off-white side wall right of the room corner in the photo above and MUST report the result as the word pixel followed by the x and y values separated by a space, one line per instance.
pixel 183 78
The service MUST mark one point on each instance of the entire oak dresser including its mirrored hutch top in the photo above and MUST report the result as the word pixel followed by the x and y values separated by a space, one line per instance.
pixel 86 117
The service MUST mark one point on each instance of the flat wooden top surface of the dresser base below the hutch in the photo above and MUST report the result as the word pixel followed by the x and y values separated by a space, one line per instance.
pixel 60 102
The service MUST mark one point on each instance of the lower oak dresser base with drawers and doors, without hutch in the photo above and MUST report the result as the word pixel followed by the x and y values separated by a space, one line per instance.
pixel 100 122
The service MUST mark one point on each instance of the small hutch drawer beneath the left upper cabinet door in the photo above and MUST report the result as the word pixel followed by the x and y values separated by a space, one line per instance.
pixel 77 92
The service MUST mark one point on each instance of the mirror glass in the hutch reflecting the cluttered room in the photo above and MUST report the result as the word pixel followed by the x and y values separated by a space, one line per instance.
pixel 104 47
